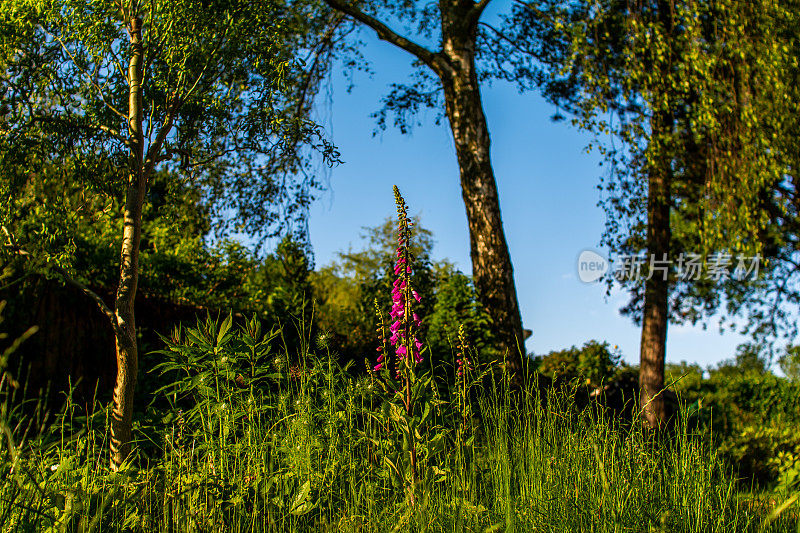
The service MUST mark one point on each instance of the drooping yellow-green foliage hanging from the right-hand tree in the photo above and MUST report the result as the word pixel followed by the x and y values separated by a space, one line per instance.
pixel 714 69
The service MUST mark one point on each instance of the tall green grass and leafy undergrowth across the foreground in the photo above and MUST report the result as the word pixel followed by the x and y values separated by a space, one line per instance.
pixel 251 437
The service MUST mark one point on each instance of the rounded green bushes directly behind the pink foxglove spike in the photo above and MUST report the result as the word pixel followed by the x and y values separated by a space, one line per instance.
pixel 345 292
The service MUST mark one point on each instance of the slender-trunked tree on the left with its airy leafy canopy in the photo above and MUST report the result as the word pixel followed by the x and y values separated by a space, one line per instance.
pixel 120 88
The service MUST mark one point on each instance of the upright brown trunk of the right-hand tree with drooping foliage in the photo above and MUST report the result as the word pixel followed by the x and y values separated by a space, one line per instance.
pixel 656 296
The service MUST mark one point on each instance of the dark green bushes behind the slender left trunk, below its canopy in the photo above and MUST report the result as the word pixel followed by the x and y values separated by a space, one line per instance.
pixel 179 261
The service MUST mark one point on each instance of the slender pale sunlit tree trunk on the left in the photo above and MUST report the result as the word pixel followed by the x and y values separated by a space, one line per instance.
pixel 125 330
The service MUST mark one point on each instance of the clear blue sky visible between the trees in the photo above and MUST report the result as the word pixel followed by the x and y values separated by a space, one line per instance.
pixel 548 197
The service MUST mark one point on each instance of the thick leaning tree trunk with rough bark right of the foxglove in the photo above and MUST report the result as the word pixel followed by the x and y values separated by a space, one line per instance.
pixel 491 261
